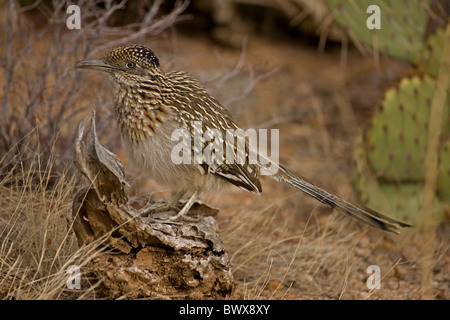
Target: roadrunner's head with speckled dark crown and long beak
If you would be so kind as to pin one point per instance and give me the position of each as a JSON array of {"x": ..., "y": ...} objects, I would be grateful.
[{"x": 124, "y": 65}]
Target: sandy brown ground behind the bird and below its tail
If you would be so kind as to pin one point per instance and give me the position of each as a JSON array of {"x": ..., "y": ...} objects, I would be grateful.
[{"x": 283, "y": 244}]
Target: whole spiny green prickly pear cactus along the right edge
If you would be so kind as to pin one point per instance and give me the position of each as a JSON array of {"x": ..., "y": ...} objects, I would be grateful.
[{"x": 390, "y": 157}]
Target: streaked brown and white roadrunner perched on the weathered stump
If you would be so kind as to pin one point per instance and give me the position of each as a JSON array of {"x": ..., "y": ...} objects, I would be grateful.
[{"x": 151, "y": 104}]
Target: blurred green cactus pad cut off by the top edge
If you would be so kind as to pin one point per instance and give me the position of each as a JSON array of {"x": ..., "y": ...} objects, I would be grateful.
[{"x": 403, "y": 24}]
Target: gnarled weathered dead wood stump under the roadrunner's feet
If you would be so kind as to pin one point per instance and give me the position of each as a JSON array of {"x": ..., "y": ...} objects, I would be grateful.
[{"x": 150, "y": 257}]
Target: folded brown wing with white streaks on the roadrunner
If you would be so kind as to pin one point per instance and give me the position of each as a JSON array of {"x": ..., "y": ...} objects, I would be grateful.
[{"x": 215, "y": 136}]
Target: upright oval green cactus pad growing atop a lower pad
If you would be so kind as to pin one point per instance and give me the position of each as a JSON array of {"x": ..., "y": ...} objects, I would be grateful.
[{"x": 397, "y": 141}]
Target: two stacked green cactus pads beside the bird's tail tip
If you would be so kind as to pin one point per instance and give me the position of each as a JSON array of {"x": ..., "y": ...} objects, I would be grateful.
[{"x": 390, "y": 161}]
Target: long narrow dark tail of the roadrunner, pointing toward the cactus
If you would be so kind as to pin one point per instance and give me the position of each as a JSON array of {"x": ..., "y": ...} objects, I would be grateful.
[{"x": 359, "y": 212}]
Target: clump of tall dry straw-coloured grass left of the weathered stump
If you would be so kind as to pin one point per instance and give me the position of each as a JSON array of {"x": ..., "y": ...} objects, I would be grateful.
[{"x": 37, "y": 245}]
